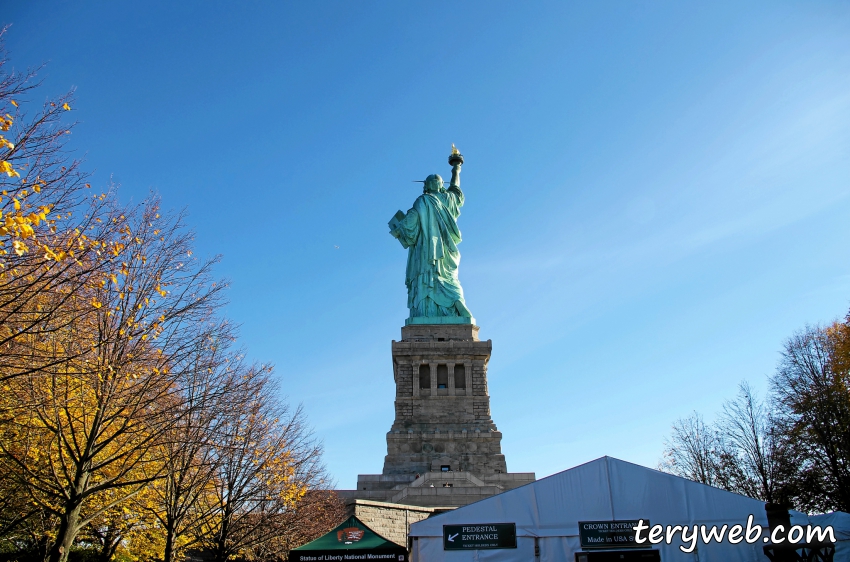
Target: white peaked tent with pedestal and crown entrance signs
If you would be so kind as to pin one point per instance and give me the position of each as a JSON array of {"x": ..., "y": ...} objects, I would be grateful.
[{"x": 602, "y": 490}]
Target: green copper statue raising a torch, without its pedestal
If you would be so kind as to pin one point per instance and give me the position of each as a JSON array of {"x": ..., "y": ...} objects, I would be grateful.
[{"x": 429, "y": 232}]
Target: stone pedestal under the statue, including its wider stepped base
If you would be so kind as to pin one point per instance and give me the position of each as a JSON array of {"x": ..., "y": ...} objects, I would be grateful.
[{"x": 443, "y": 448}]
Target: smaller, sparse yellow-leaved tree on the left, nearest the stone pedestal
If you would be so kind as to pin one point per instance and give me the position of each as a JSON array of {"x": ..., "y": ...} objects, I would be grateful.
[{"x": 267, "y": 460}]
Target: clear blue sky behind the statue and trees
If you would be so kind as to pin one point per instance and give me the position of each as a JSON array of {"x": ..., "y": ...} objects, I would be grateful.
[{"x": 656, "y": 192}]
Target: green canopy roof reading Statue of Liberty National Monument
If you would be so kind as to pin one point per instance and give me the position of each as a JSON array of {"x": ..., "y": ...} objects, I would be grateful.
[{"x": 351, "y": 540}]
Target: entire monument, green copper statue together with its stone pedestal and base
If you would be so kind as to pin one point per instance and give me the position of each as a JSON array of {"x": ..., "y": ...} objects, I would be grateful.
[{"x": 443, "y": 448}]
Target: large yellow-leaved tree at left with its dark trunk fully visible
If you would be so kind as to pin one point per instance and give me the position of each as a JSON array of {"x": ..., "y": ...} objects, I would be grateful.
[{"x": 94, "y": 425}]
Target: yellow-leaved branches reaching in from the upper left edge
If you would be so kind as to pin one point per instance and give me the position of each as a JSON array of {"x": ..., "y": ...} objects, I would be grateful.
[{"x": 55, "y": 234}]
